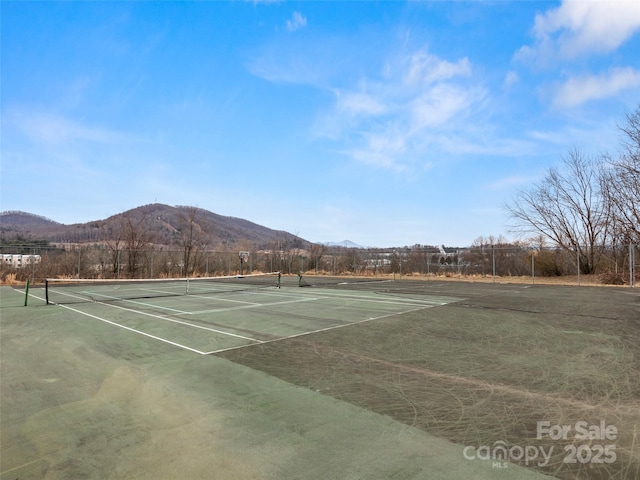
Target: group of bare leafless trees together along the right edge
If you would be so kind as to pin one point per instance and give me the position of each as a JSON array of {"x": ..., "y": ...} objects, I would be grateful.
[{"x": 587, "y": 206}]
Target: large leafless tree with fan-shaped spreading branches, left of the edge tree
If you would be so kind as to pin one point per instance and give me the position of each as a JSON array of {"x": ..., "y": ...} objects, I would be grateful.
[{"x": 569, "y": 208}]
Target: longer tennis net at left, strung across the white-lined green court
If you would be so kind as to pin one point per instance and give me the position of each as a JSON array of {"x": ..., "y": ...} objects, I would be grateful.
[{"x": 65, "y": 291}]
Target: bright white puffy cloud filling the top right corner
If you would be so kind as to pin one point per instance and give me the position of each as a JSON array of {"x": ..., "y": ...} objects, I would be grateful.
[{"x": 580, "y": 27}]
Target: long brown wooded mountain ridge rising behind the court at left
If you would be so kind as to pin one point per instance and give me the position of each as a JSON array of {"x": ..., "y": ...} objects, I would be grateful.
[{"x": 163, "y": 223}]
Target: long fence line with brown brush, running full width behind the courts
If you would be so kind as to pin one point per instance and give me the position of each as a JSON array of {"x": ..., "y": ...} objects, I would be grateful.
[{"x": 612, "y": 264}]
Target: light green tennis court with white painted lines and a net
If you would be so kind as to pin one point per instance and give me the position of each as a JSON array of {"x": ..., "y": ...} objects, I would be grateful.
[{"x": 212, "y": 317}]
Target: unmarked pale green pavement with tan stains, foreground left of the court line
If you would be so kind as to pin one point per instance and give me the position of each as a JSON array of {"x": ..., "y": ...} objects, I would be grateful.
[{"x": 82, "y": 399}]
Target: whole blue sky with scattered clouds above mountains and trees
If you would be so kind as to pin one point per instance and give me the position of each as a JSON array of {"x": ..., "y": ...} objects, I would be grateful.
[{"x": 385, "y": 123}]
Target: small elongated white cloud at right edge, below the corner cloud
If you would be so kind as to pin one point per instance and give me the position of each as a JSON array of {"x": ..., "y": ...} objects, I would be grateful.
[{"x": 581, "y": 89}]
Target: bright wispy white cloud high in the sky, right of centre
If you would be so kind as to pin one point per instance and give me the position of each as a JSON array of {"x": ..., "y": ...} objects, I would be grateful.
[{"x": 393, "y": 118}]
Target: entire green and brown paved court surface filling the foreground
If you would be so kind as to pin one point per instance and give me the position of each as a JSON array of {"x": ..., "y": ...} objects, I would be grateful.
[{"x": 394, "y": 379}]
